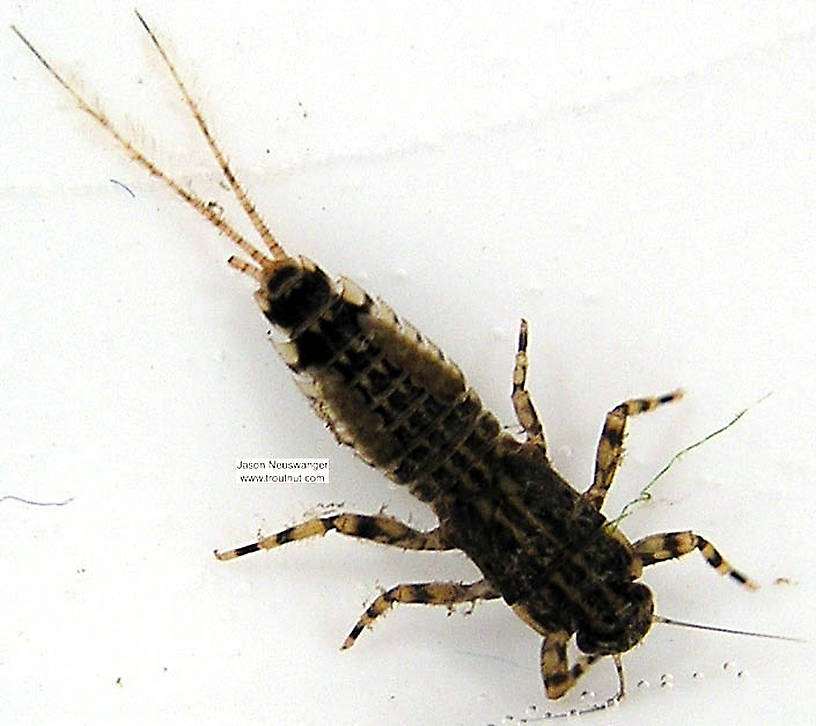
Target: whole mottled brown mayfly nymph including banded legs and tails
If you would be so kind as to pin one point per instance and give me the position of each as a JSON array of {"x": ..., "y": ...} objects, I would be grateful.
[{"x": 393, "y": 396}]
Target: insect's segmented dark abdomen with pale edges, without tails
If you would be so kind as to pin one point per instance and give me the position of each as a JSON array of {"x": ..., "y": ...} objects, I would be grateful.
[{"x": 381, "y": 387}]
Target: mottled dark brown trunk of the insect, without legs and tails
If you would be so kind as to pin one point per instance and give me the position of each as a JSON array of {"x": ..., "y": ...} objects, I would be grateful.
[{"x": 406, "y": 410}]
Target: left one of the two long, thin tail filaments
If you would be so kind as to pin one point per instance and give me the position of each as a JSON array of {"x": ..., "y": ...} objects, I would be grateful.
[{"x": 139, "y": 157}]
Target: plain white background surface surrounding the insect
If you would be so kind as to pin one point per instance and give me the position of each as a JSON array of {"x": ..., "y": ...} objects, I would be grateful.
[{"x": 635, "y": 180}]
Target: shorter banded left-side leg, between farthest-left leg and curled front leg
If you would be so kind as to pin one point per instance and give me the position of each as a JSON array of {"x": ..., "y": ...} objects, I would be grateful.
[{"x": 426, "y": 593}]
